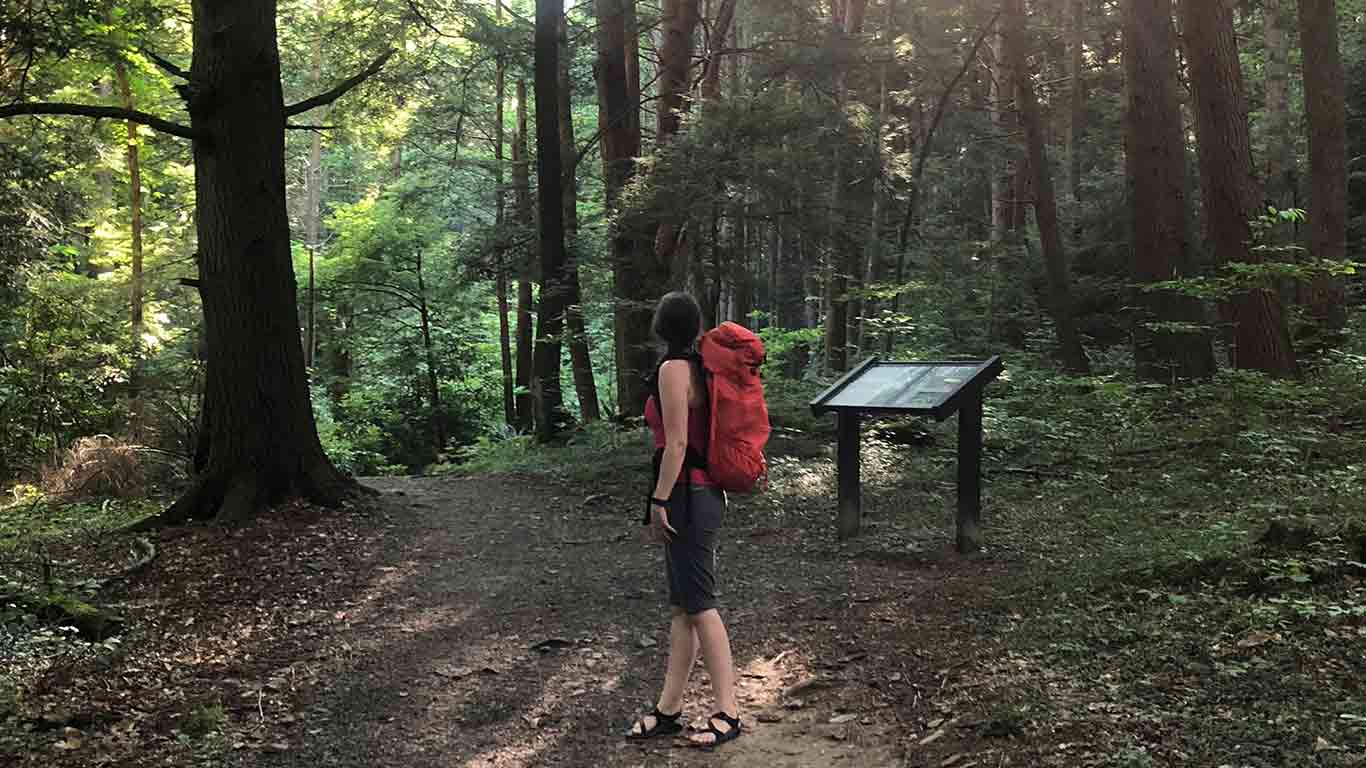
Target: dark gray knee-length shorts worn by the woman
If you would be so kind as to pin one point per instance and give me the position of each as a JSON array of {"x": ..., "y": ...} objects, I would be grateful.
[{"x": 696, "y": 513}]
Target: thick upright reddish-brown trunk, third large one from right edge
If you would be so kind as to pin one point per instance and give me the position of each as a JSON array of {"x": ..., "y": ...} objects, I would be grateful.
[{"x": 1156, "y": 159}]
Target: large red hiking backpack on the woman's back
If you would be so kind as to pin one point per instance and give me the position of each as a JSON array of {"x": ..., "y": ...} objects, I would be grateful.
[{"x": 731, "y": 356}]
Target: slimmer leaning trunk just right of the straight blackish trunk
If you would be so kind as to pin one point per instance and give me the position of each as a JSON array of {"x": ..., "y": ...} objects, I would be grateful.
[{"x": 581, "y": 359}]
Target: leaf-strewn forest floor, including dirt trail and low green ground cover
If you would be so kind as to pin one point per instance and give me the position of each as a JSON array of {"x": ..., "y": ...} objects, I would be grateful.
[{"x": 1130, "y": 612}]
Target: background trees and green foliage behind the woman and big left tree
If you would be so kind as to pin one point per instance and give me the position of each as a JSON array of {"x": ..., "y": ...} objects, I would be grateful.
[{"x": 908, "y": 178}]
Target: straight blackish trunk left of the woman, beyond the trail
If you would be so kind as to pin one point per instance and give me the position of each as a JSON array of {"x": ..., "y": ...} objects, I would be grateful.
[{"x": 550, "y": 176}]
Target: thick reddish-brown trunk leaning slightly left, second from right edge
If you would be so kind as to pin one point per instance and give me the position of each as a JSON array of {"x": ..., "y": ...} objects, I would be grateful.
[{"x": 1229, "y": 188}]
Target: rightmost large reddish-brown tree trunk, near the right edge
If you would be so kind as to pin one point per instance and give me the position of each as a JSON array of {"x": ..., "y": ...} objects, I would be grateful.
[{"x": 1326, "y": 109}]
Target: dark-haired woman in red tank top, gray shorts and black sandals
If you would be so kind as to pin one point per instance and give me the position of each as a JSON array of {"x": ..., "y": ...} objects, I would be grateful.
[{"x": 686, "y": 512}]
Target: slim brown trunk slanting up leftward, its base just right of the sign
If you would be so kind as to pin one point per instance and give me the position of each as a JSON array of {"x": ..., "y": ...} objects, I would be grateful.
[{"x": 1046, "y": 203}]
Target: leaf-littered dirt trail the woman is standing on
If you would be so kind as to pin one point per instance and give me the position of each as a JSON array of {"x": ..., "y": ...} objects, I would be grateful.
[{"x": 502, "y": 624}]
